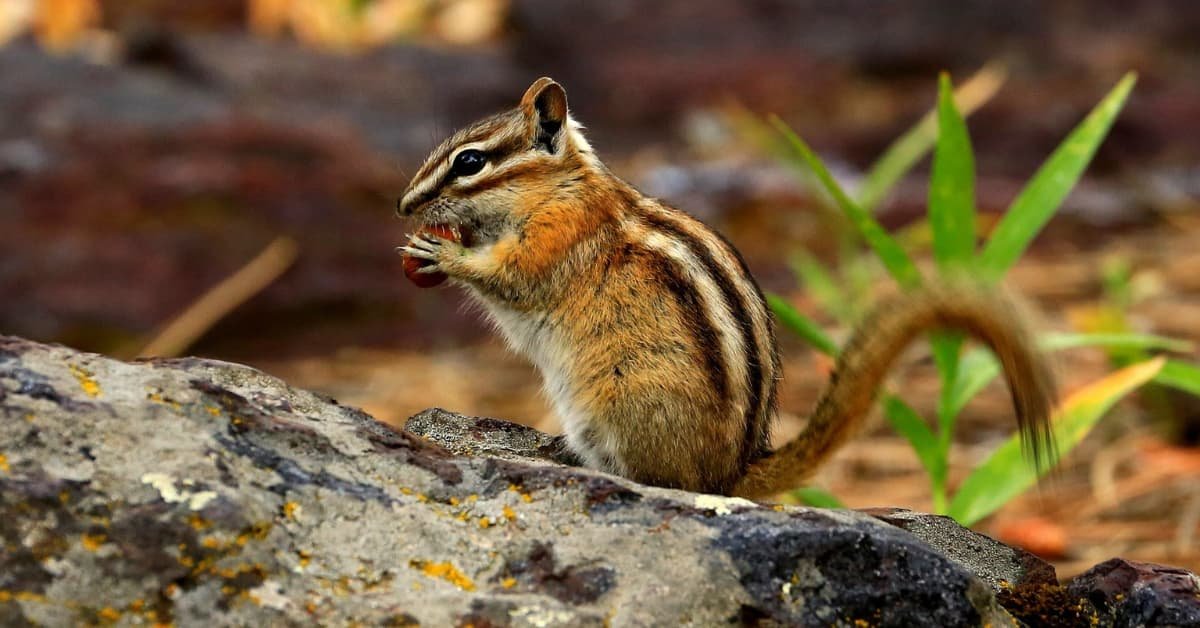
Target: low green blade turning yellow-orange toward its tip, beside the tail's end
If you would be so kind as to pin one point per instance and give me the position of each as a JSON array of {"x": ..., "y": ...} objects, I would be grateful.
[{"x": 1007, "y": 473}]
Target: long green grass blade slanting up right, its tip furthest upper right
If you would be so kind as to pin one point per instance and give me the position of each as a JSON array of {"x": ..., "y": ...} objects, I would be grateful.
[{"x": 1043, "y": 195}]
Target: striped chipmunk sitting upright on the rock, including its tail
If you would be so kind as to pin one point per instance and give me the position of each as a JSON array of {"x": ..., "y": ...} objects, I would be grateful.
[{"x": 655, "y": 342}]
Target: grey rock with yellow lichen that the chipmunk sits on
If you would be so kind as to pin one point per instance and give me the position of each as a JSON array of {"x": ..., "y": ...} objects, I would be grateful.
[{"x": 206, "y": 493}]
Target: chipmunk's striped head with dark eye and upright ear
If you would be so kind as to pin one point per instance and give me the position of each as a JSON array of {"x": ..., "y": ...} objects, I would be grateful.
[{"x": 476, "y": 178}]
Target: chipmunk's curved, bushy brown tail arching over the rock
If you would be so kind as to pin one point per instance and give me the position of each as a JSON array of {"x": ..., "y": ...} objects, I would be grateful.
[{"x": 873, "y": 350}]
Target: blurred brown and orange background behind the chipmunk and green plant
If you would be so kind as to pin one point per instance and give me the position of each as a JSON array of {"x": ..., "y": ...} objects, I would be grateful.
[{"x": 220, "y": 178}]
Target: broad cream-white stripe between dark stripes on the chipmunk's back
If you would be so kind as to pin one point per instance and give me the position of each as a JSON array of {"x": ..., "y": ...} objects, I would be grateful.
[{"x": 716, "y": 312}]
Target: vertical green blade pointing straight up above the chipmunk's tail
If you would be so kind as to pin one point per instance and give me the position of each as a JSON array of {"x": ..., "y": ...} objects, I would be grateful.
[{"x": 952, "y": 214}]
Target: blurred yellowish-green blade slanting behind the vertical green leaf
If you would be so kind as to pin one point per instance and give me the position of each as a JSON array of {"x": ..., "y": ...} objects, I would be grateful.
[{"x": 909, "y": 149}]
